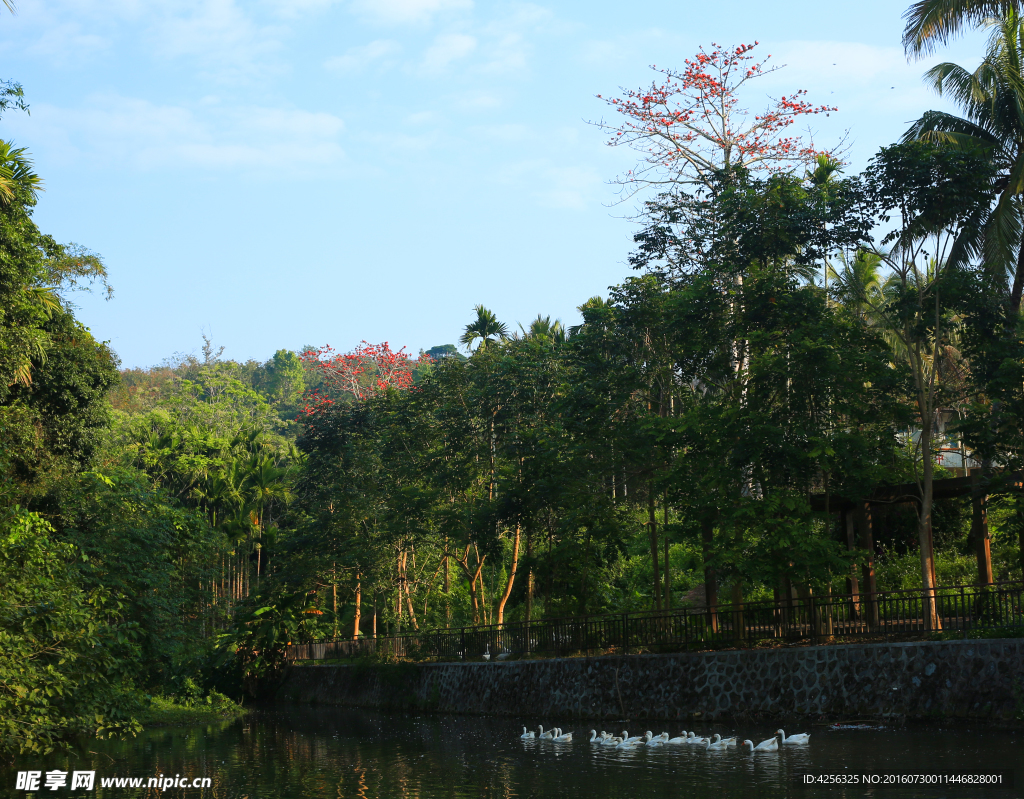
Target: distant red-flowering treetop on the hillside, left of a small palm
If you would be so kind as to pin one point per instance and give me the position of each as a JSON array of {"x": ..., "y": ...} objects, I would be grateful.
[{"x": 366, "y": 371}]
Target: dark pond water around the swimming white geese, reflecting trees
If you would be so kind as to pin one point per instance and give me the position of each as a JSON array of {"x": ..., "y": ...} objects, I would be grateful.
[{"x": 331, "y": 752}]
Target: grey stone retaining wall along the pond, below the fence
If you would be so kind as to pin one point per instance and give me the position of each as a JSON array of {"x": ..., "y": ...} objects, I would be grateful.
[{"x": 970, "y": 680}]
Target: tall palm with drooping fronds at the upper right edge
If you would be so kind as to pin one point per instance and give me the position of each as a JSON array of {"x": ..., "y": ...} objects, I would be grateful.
[{"x": 993, "y": 101}]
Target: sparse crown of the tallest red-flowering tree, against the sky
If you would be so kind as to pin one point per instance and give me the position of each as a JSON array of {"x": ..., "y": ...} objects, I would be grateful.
[{"x": 691, "y": 125}]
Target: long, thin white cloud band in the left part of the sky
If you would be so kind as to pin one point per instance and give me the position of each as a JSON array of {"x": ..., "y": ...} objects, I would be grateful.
[{"x": 116, "y": 131}]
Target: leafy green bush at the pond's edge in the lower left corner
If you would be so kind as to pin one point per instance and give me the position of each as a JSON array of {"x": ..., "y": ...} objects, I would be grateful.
[{"x": 66, "y": 658}]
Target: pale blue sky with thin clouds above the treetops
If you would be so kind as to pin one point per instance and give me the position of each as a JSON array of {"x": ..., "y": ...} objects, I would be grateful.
[{"x": 290, "y": 173}]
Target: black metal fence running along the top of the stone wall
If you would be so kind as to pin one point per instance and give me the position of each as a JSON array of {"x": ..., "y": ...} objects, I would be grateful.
[{"x": 808, "y": 619}]
